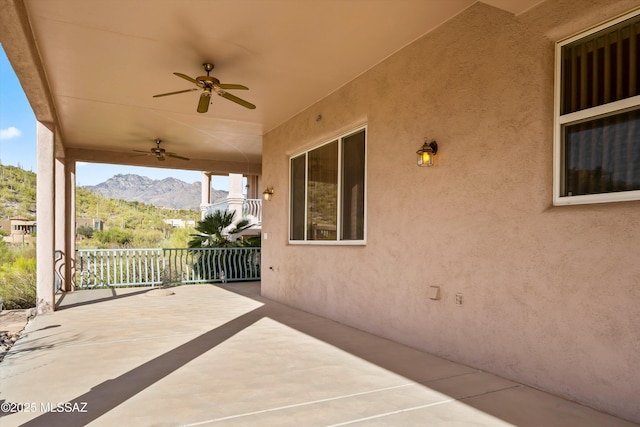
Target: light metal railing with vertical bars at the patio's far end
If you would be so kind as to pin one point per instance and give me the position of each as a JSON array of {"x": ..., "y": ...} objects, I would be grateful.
[{"x": 156, "y": 266}]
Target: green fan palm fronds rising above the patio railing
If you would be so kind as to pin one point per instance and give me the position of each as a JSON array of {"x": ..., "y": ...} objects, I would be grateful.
[{"x": 212, "y": 231}]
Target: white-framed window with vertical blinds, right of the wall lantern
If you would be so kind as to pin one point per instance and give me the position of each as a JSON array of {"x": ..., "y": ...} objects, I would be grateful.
[{"x": 597, "y": 133}]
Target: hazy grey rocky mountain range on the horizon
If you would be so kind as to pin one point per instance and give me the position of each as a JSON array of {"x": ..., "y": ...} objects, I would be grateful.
[{"x": 168, "y": 192}]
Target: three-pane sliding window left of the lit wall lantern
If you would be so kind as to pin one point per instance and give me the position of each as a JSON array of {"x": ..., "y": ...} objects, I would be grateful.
[{"x": 328, "y": 192}]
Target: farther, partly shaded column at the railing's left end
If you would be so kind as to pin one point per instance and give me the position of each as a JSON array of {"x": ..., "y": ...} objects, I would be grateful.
[{"x": 70, "y": 218}]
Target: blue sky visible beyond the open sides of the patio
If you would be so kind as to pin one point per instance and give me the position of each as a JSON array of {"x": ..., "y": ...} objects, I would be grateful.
[{"x": 18, "y": 139}]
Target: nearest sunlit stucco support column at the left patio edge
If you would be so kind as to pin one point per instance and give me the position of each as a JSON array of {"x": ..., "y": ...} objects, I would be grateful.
[{"x": 45, "y": 238}]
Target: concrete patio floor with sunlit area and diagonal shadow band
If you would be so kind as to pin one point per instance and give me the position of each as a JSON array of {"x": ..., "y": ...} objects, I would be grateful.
[{"x": 223, "y": 355}]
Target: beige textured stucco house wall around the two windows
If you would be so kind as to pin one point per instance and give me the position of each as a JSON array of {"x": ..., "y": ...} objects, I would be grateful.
[{"x": 550, "y": 294}]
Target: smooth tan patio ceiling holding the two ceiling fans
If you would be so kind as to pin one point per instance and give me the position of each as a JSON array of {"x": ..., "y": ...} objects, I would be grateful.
[{"x": 99, "y": 63}]
